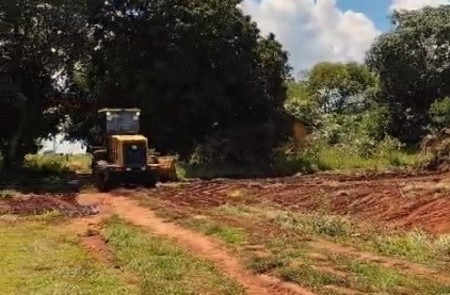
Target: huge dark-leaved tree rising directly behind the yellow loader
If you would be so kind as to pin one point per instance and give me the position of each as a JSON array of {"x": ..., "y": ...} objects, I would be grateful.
[{"x": 198, "y": 69}]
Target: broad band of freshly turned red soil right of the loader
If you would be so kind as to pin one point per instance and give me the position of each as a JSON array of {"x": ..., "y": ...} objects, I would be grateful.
[{"x": 397, "y": 201}]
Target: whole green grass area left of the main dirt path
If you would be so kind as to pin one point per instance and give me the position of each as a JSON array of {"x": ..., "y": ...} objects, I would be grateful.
[{"x": 40, "y": 256}]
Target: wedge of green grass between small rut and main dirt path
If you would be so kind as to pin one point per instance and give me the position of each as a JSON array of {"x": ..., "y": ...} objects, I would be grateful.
[{"x": 161, "y": 266}]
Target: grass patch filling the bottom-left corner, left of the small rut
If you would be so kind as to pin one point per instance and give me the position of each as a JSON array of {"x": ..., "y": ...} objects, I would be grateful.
[{"x": 37, "y": 258}]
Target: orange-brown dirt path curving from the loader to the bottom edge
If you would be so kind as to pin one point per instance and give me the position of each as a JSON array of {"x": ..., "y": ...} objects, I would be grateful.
[{"x": 200, "y": 245}]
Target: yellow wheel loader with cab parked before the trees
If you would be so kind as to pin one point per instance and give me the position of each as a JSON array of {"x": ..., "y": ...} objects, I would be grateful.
[{"x": 123, "y": 155}]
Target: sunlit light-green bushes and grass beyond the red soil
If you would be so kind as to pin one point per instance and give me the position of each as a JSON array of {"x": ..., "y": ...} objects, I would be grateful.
[{"x": 345, "y": 142}]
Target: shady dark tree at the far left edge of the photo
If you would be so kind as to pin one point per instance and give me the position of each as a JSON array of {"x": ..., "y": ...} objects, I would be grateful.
[{"x": 36, "y": 43}]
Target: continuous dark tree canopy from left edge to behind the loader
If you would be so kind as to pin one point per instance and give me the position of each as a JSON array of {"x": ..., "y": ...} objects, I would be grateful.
[{"x": 200, "y": 71}]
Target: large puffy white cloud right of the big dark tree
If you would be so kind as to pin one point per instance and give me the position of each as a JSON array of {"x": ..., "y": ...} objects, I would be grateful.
[{"x": 314, "y": 30}]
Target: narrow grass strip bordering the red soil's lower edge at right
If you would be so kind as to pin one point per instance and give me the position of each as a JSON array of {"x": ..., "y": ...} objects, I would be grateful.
[{"x": 414, "y": 246}]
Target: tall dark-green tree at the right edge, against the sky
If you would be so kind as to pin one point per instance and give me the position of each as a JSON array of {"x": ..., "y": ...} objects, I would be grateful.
[{"x": 413, "y": 65}]
